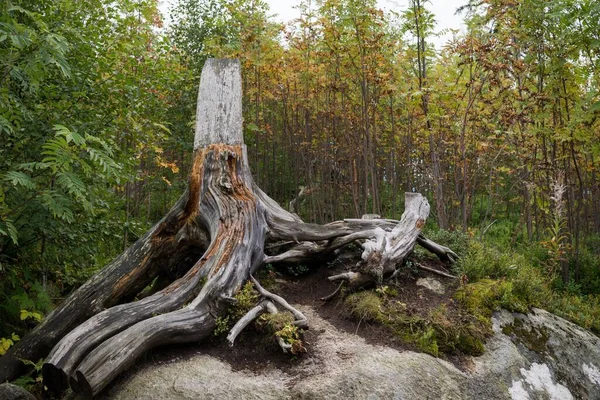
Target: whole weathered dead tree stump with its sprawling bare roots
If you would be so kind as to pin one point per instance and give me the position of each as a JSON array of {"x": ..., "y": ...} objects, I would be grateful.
[{"x": 209, "y": 244}]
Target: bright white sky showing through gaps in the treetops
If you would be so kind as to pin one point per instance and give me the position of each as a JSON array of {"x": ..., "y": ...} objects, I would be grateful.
[{"x": 444, "y": 11}]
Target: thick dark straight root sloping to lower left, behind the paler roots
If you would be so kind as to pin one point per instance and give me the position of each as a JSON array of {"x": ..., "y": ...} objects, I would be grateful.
[{"x": 119, "y": 281}]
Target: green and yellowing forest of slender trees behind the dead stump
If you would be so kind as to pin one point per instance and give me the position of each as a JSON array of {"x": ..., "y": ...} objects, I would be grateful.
[{"x": 345, "y": 109}]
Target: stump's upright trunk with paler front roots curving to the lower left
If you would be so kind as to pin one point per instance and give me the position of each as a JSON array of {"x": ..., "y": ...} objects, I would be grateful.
[{"x": 222, "y": 201}]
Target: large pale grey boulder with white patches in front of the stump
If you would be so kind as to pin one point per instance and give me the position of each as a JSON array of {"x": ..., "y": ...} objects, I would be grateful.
[{"x": 534, "y": 356}]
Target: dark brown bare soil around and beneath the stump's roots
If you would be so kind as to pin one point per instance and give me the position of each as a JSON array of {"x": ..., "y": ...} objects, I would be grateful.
[{"x": 255, "y": 351}]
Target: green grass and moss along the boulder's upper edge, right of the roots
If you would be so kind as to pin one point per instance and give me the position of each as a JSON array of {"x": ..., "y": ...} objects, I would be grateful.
[{"x": 493, "y": 279}]
